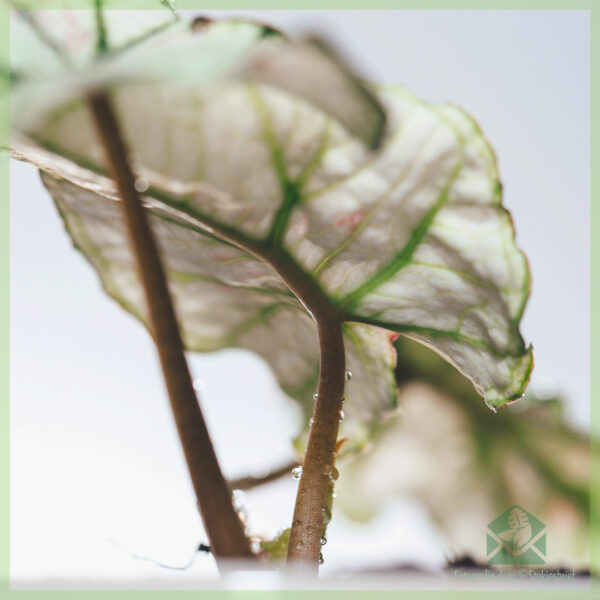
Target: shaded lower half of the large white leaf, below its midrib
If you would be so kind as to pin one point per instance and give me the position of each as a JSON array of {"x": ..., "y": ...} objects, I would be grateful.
[{"x": 225, "y": 297}]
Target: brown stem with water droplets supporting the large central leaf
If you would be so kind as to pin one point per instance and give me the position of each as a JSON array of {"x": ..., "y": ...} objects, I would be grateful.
[{"x": 305, "y": 547}]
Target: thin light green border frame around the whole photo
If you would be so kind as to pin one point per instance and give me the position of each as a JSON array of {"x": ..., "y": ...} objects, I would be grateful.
[{"x": 593, "y": 6}]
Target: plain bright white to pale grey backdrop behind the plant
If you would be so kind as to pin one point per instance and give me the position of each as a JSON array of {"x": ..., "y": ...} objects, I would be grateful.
[{"x": 94, "y": 454}]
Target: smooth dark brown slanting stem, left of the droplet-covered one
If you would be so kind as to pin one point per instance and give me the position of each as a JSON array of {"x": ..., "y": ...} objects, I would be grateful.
[{"x": 223, "y": 527}]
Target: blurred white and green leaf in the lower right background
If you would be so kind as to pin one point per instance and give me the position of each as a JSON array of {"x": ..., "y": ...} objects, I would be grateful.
[{"x": 467, "y": 465}]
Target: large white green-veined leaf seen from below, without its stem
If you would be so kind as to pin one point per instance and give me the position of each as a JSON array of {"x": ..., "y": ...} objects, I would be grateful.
[{"x": 411, "y": 239}]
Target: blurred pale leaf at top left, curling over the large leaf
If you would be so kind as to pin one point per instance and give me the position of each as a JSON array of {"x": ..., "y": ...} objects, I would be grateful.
[{"x": 60, "y": 56}]
